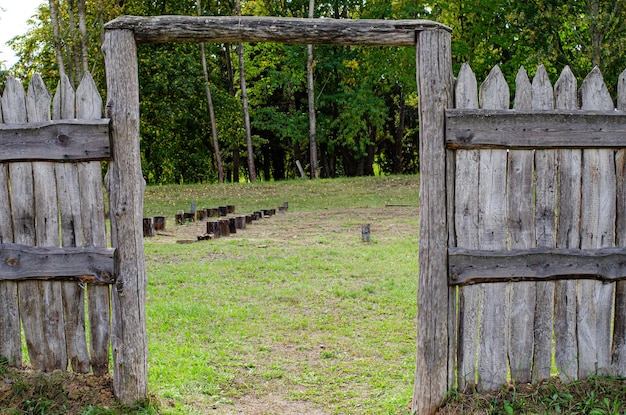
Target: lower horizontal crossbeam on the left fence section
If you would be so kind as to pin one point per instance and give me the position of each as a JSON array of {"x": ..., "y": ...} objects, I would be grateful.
[{"x": 89, "y": 264}]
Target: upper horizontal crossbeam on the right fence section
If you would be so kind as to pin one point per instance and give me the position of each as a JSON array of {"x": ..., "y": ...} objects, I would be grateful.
[{"x": 535, "y": 129}]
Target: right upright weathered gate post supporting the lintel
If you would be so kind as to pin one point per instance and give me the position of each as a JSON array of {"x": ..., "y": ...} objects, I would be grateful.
[{"x": 434, "y": 80}]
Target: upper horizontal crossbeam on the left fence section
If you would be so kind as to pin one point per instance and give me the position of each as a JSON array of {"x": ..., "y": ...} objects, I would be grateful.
[{"x": 56, "y": 141}]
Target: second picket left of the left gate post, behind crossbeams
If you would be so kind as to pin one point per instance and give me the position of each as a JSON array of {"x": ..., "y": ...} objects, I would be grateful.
[{"x": 71, "y": 236}]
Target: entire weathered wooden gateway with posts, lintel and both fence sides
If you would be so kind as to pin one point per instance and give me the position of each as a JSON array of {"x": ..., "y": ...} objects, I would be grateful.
[{"x": 521, "y": 238}]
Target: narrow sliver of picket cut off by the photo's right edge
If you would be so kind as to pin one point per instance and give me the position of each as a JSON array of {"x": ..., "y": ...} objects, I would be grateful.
[{"x": 618, "y": 355}]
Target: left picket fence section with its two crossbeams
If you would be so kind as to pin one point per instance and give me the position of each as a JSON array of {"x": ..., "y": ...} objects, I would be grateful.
[{"x": 53, "y": 244}]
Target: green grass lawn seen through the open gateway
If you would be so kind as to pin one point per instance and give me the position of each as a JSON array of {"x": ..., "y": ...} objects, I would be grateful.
[{"x": 295, "y": 314}]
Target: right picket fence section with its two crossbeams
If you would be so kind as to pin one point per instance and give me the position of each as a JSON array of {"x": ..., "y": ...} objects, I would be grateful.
[{"x": 539, "y": 198}]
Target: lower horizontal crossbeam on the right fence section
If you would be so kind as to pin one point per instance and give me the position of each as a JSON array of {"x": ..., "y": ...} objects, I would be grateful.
[{"x": 467, "y": 266}]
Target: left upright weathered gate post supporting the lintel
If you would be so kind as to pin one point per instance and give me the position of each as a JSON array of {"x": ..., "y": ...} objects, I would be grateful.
[{"x": 126, "y": 189}]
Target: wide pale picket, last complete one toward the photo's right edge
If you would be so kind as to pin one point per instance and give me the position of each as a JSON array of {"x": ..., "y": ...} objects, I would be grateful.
[{"x": 595, "y": 299}]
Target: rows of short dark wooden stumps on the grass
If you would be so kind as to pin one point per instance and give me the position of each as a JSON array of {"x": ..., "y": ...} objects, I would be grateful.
[{"x": 224, "y": 226}]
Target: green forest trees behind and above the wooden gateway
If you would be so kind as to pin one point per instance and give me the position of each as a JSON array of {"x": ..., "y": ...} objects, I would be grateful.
[{"x": 365, "y": 98}]
